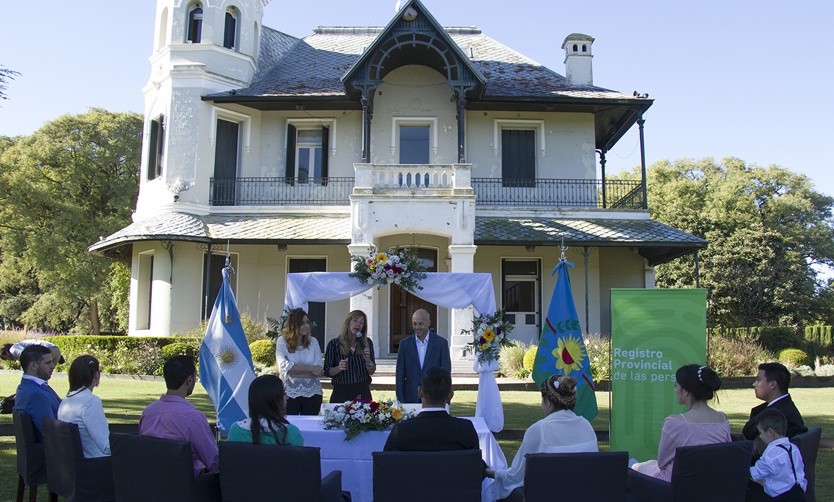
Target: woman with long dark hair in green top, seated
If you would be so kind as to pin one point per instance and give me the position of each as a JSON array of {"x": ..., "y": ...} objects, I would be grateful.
[{"x": 267, "y": 410}]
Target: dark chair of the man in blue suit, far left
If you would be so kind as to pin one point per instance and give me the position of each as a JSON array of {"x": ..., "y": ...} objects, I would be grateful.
[{"x": 31, "y": 463}]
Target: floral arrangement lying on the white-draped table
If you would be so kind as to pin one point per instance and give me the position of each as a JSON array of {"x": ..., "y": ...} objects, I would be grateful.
[{"x": 361, "y": 416}]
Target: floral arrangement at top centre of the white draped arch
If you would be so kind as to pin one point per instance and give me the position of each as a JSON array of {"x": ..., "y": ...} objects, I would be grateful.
[{"x": 399, "y": 266}]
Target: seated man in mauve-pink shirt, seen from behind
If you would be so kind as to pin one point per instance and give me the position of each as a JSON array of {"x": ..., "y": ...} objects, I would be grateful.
[{"x": 172, "y": 417}]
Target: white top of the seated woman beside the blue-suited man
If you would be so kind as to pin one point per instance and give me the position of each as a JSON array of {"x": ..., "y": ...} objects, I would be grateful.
[{"x": 84, "y": 408}]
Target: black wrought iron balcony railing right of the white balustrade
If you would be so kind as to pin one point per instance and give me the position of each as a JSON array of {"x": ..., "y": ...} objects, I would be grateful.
[{"x": 624, "y": 194}]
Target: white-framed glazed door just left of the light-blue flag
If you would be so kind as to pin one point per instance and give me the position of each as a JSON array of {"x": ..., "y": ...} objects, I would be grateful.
[{"x": 521, "y": 300}]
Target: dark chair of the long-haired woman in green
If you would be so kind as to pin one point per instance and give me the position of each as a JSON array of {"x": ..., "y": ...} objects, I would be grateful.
[{"x": 268, "y": 472}]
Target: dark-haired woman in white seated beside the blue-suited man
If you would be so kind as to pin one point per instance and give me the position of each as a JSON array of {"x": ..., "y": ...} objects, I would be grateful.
[{"x": 83, "y": 408}]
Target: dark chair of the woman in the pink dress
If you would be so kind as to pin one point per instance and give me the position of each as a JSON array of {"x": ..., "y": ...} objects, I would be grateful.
[{"x": 714, "y": 472}]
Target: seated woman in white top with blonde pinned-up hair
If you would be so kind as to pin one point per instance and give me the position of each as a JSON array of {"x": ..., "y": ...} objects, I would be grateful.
[{"x": 560, "y": 431}]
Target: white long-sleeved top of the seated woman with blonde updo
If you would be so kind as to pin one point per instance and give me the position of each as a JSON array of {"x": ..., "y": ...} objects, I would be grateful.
[{"x": 560, "y": 432}]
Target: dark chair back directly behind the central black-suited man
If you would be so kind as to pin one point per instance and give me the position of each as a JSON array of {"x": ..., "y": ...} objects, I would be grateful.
[{"x": 443, "y": 475}]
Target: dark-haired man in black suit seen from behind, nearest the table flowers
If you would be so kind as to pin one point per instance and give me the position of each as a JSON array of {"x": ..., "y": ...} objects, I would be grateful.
[{"x": 433, "y": 429}]
